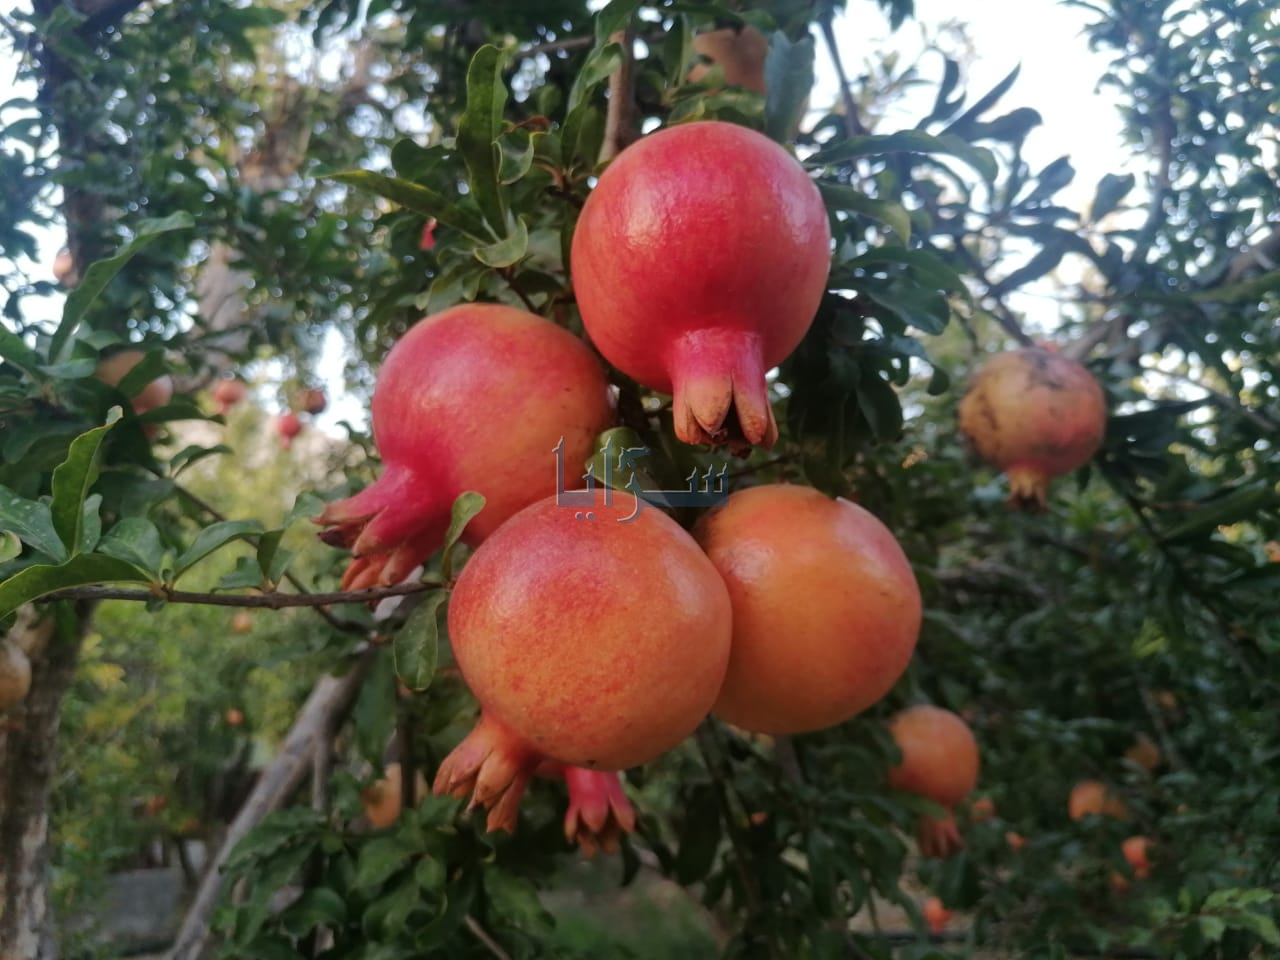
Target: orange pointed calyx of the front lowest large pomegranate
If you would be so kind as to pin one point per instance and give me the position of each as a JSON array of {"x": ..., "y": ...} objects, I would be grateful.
[{"x": 495, "y": 767}]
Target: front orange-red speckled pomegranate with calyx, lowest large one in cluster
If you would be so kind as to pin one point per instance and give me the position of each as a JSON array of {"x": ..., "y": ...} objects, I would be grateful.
[{"x": 589, "y": 639}]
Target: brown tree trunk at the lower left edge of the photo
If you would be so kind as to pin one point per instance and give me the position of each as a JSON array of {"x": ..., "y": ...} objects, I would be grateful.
[{"x": 29, "y": 737}]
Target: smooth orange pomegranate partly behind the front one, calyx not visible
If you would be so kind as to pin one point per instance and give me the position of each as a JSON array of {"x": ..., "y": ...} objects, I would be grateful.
[{"x": 826, "y": 609}]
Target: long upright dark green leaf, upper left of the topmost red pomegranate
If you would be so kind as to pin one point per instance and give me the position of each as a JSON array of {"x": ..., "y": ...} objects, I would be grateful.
[{"x": 479, "y": 131}]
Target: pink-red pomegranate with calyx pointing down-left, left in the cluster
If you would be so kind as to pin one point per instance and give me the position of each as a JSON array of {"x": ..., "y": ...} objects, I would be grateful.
[{"x": 474, "y": 399}]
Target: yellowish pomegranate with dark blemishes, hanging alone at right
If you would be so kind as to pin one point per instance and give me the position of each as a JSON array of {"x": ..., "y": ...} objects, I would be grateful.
[{"x": 1036, "y": 415}]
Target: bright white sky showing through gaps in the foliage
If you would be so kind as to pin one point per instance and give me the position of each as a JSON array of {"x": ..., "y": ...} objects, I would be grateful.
[{"x": 1058, "y": 79}]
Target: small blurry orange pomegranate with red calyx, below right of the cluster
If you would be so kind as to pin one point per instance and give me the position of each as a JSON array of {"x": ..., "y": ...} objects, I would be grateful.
[{"x": 940, "y": 764}]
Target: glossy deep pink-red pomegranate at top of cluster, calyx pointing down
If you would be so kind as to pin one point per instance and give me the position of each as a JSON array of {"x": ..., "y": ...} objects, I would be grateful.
[{"x": 700, "y": 262}]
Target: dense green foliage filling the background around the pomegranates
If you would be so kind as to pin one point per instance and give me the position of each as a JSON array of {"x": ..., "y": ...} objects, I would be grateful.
[{"x": 237, "y": 181}]
